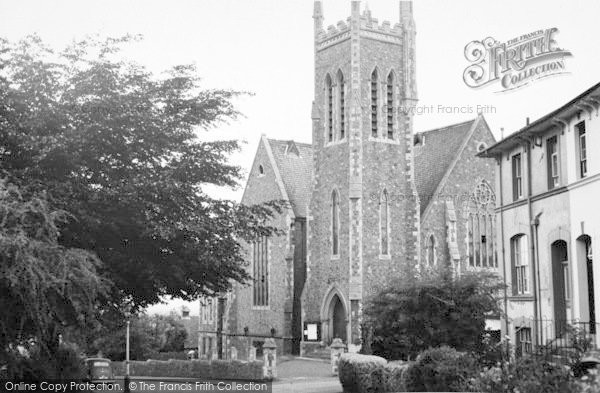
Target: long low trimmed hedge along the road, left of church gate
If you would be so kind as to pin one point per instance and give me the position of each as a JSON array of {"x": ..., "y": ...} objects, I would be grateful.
[{"x": 215, "y": 369}]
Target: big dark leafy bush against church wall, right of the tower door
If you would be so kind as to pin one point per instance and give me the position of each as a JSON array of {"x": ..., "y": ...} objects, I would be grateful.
[{"x": 411, "y": 316}]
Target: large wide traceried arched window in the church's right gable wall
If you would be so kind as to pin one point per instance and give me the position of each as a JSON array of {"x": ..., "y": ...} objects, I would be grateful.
[{"x": 481, "y": 236}]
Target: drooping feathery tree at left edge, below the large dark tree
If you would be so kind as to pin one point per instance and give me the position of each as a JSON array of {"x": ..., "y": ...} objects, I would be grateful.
[{"x": 45, "y": 286}]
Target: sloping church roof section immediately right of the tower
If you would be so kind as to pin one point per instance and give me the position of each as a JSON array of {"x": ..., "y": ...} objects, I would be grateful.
[{"x": 434, "y": 155}]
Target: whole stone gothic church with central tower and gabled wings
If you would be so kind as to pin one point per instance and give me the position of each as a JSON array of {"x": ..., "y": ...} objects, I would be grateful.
[{"x": 370, "y": 200}]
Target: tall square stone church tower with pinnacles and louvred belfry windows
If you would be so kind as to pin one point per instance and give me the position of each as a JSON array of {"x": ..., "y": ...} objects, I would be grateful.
[{"x": 364, "y": 209}]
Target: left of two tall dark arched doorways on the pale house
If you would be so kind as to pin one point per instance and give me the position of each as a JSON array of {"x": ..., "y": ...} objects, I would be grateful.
[{"x": 562, "y": 285}]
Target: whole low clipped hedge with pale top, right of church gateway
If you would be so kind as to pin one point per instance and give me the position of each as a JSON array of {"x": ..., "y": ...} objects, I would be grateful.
[{"x": 365, "y": 373}]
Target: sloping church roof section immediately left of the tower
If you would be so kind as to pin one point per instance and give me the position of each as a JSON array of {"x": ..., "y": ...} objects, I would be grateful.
[{"x": 294, "y": 161}]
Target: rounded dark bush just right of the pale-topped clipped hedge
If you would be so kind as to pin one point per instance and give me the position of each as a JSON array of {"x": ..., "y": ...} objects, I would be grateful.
[{"x": 440, "y": 370}]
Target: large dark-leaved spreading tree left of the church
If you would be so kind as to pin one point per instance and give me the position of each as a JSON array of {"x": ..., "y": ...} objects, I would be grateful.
[{"x": 117, "y": 148}]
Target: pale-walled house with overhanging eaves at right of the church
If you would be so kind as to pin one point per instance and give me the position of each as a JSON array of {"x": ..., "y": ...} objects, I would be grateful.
[{"x": 548, "y": 178}]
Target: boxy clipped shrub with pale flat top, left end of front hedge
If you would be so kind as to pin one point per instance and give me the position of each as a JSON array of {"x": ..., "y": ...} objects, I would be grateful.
[{"x": 361, "y": 373}]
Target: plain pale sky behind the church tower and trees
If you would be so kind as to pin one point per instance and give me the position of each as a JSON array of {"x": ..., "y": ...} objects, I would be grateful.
[{"x": 266, "y": 47}]
